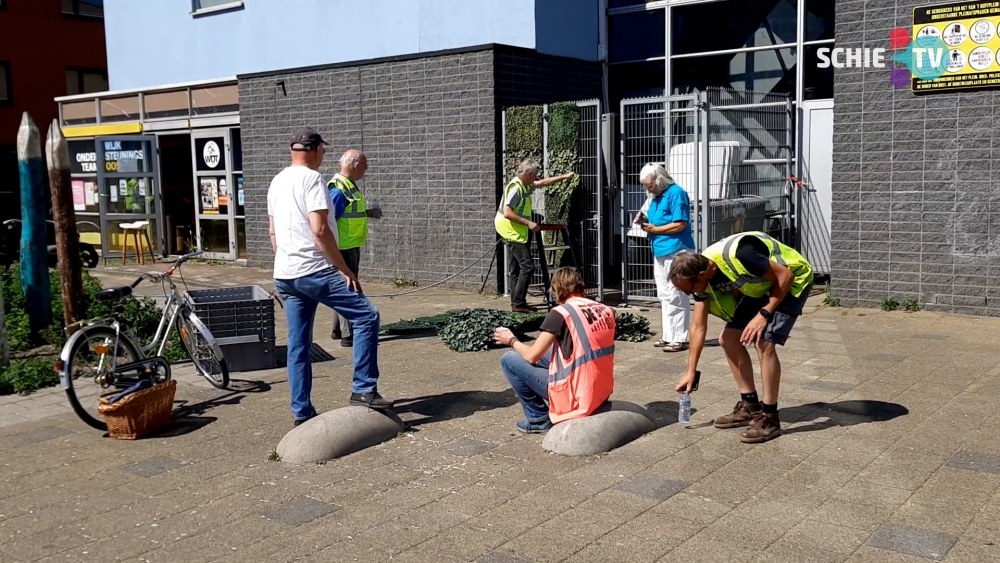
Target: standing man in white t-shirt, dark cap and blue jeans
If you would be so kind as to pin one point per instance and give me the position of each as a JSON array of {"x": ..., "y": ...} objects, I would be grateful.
[{"x": 309, "y": 270}]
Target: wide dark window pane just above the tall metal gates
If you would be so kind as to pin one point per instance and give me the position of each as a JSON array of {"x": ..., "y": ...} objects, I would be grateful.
[{"x": 758, "y": 71}]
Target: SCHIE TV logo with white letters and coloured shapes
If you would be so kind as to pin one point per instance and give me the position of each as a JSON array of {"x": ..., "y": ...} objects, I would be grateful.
[{"x": 926, "y": 58}]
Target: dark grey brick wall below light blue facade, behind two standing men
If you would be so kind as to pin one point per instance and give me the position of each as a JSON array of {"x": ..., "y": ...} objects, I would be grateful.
[{"x": 431, "y": 130}]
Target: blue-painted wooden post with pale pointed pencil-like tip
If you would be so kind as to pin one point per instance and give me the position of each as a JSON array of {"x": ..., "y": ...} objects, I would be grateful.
[{"x": 34, "y": 247}]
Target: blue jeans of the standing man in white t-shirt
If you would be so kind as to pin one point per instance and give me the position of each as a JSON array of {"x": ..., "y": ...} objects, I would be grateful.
[{"x": 302, "y": 296}]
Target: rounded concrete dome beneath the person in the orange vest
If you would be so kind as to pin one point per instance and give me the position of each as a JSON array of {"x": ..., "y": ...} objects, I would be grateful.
[{"x": 613, "y": 425}]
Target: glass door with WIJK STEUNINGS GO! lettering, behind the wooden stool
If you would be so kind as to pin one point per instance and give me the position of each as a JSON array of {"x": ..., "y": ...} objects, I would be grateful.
[{"x": 127, "y": 191}]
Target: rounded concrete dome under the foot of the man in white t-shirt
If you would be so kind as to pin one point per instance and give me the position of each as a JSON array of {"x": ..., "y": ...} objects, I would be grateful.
[{"x": 338, "y": 433}]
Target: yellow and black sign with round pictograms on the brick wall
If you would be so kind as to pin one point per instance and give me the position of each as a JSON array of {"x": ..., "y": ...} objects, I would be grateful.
[{"x": 971, "y": 33}]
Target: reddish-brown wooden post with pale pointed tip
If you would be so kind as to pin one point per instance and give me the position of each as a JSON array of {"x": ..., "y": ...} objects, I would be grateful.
[{"x": 67, "y": 237}]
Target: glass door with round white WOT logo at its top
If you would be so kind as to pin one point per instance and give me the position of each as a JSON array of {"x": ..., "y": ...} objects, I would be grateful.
[{"x": 215, "y": 193}]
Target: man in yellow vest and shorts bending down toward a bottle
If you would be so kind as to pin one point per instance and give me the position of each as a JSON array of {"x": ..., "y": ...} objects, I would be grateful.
[{"x": 758, "y": 286}]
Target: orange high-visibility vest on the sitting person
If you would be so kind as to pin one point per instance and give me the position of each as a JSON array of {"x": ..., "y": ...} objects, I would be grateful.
[{"x": 581, "y": 383}]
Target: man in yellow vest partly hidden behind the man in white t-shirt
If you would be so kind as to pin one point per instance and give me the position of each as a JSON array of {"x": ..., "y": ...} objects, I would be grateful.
[{"x": 352, "y": 215}]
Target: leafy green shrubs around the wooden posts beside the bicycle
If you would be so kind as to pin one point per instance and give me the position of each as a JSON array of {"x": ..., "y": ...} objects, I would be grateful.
[{"x": 142, "y": 314}]
